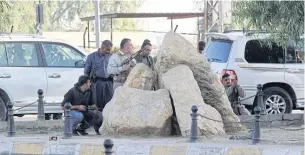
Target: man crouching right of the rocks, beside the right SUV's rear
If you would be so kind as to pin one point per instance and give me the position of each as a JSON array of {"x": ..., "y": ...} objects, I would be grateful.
[{"x": 234, "y": 92}]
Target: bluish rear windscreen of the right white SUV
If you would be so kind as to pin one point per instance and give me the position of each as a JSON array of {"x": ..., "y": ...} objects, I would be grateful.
[{"x": 218, "y": 51}]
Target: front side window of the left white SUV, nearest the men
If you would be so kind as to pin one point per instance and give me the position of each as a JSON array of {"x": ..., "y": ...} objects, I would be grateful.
[{"x": 60, "y": 55}]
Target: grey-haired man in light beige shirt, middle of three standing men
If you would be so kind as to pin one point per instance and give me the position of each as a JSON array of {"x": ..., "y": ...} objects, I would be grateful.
[{"x": 120, "y": 63}]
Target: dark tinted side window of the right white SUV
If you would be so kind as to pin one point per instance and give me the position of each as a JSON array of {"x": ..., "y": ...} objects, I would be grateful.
[{"x": 263, "y": 51}]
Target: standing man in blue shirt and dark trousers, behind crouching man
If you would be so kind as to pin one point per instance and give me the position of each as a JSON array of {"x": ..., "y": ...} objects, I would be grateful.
[{"x": 96, "y": 69}]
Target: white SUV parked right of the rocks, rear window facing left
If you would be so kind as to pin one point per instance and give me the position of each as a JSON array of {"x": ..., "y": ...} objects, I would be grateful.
[{"x": 252, "y": 59}]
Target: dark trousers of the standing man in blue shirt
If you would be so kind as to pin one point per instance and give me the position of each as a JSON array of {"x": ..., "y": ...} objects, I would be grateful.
[{"x": 102, "y": 93}]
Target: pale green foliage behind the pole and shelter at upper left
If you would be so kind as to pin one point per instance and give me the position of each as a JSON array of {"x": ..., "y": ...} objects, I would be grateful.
[{"x": 62, "y": 15}]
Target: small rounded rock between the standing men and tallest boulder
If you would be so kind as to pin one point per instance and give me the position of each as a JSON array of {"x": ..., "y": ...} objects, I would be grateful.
[{"x": 141, "y": 77}]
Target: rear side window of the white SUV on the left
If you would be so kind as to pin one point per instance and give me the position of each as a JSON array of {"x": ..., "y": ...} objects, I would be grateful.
[{"x": 20, "y": 54}]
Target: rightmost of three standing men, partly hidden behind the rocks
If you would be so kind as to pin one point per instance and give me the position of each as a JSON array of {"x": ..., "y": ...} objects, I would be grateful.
[{"x": 144, "y": 55}]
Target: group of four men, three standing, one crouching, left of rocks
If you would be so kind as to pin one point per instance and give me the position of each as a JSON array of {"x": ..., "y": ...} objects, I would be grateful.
[{"x": 103, "y": 73}]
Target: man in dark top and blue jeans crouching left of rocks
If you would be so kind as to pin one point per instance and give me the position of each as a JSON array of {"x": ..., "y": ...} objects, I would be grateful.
[{"x": 82, "y": 115}]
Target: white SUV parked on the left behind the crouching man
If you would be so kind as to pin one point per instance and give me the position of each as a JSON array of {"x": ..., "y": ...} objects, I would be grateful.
[{"x": 29, "y": 63}]
